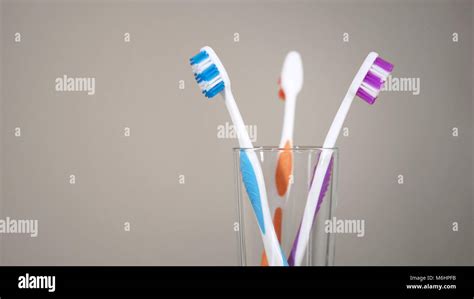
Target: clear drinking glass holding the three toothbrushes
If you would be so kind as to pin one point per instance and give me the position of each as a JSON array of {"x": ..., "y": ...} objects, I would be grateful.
[{"x": 289, "y": 206}]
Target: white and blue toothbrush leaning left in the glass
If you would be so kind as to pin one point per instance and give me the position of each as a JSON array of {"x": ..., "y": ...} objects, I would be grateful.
[{"x": 212, "y": 78}]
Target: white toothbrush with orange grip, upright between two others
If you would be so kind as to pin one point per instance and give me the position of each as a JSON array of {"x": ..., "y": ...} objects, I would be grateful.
[{"x": 290, "y": 84}]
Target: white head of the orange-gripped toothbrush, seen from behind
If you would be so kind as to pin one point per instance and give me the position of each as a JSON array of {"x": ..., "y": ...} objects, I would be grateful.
[{"x": 291, "y": 79}]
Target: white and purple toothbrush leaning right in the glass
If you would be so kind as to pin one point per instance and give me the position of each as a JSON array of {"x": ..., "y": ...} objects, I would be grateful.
[{"x": 367, "y": 84}]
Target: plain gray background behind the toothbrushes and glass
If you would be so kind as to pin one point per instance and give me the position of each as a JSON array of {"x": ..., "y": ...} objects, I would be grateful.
[{"x": 174, "y": 131}]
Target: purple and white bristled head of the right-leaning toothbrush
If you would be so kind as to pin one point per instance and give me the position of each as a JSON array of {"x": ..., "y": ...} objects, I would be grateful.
[{"x": 374, "y": 79}]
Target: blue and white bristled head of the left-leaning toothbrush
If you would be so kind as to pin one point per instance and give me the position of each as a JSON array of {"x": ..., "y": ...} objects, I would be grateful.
[{"x": 209, "y": 72}]
